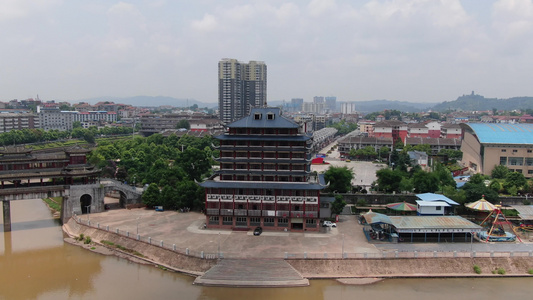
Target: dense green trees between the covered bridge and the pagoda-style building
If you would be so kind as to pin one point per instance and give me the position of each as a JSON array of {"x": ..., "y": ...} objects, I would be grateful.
[{"x": 168, "y": 166}]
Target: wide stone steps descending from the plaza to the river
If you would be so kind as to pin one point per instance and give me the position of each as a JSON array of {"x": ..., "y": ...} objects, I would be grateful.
[{"x": 252, "y": 273}]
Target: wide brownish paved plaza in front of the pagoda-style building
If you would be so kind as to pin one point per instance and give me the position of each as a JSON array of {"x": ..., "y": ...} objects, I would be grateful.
[{"x": 186, "y": 230}]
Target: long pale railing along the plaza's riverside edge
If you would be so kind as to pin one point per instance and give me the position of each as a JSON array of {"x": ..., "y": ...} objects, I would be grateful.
[{"x": 308, "y": 255}]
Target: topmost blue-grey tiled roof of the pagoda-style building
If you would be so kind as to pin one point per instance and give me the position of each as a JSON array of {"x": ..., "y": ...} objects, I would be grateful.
[{"x": 278, "y": 121}]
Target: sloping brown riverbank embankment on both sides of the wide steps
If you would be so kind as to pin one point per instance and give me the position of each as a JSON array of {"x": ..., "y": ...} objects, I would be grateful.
[{"x": 321, "y": 268}]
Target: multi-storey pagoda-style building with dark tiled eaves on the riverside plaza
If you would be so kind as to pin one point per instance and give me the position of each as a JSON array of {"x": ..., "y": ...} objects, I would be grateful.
[{"x": 265, "y": 176}]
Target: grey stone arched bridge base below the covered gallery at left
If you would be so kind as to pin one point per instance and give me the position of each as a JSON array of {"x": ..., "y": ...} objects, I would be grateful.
[{"x": 77, "y": 199}]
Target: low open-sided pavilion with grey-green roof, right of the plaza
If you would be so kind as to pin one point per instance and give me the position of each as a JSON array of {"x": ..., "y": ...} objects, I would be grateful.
[{"x": 427, "y": 228}]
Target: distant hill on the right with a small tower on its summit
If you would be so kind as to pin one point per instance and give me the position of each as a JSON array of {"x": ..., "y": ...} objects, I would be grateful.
[{"x": 474, "y": 102}]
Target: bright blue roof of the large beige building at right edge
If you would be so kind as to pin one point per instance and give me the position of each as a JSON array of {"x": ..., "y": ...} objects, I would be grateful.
[{"x": 492, "y": 133}]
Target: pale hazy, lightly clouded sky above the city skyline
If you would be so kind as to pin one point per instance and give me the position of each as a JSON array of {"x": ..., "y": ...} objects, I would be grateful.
[{"x": 407, "y": 50}]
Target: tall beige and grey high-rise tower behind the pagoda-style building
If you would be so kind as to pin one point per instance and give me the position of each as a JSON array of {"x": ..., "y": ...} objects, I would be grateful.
[{"x": 241, "y": 86}]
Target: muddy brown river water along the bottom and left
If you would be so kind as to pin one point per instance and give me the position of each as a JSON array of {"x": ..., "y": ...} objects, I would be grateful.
[{"x": 35, "y": 263}]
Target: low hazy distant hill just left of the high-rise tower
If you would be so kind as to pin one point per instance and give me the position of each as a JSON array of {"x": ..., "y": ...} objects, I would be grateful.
[{"x": 150, "y": 101}]
